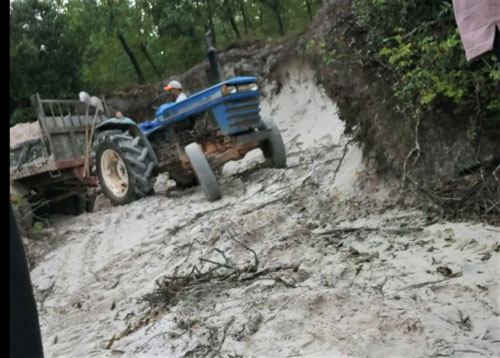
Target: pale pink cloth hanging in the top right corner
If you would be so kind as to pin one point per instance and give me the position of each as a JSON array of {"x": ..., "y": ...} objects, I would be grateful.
[{"x": 477, "y": 21}]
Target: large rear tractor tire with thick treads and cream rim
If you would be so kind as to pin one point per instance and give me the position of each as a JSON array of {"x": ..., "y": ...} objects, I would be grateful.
[{"x": 124, "y": 167}]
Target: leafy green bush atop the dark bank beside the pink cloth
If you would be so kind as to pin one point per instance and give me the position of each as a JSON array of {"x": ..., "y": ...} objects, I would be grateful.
[{"x": 420, "y": 44}]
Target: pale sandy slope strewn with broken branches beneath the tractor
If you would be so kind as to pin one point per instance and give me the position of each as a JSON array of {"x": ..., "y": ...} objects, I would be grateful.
[{"x": 312, "y": 260}]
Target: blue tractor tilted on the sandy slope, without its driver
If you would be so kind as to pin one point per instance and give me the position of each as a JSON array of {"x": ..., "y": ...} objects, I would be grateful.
[{"x": 187, "y": 139}]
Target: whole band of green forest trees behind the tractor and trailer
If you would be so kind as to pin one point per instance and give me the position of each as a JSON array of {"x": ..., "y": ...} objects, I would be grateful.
[{"x": 58, "y": 48}]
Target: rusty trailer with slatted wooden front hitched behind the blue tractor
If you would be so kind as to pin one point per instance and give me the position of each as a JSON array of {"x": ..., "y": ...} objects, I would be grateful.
[{"x": 51, "y": 169}]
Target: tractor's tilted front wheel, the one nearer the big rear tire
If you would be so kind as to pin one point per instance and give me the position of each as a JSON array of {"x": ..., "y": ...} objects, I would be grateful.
[{"x": 203, "y": 172}]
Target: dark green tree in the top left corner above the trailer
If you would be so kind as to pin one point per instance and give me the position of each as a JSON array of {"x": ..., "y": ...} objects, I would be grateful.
[{"x": 42, "y": 58}]
